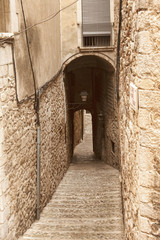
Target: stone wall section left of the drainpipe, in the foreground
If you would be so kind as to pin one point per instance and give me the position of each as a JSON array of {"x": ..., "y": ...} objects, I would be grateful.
[{"x": 17, "y": 155}]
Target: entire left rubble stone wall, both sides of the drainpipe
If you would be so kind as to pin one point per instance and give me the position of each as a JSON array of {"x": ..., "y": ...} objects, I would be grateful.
[{"x": 18, "y": 149}]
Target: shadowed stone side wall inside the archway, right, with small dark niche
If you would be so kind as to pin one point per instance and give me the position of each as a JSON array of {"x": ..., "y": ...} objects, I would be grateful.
[{"x": 111, "y": 148}]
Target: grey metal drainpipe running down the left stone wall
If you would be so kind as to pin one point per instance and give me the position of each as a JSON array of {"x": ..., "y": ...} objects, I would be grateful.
[{"x": 38, "y": 157}]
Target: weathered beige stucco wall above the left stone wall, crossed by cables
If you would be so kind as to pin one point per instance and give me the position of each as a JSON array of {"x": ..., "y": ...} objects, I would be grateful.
[{"x": 43, "y": 42}]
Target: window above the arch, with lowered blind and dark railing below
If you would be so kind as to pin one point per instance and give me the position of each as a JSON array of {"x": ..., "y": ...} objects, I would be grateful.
[{"x": 96, "y": 23}]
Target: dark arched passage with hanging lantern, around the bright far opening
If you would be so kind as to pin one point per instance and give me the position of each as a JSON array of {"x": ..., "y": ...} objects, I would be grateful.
[{"x": 95, "y": 77}]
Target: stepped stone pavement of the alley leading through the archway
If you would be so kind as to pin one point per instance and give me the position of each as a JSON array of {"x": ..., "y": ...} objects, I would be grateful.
[{"x": 86, "y": 205}]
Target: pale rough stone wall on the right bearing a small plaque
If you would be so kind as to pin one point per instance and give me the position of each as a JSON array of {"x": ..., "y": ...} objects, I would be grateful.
[{"x": 140, "y": 131}]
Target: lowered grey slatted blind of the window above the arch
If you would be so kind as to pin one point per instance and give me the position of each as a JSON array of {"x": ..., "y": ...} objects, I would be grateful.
[{"x": 96, "y": 17}]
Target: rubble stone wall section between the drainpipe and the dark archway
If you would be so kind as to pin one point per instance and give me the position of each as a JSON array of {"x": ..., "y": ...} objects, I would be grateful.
[{"x": 54, "y": 137}]
